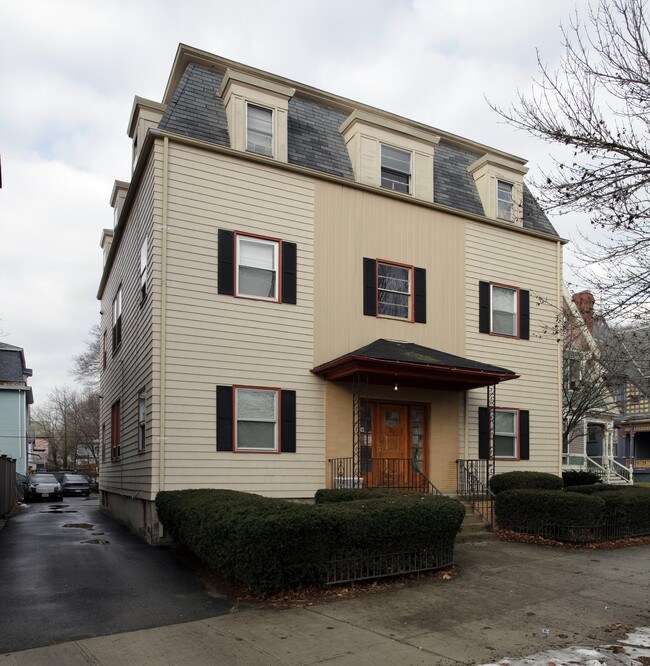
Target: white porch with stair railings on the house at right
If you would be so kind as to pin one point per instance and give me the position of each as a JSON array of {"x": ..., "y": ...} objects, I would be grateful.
[{"x": 593, "y": 449}]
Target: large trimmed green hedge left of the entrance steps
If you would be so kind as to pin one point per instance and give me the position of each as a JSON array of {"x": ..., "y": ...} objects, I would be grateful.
[{"x": 271, "y": 544}]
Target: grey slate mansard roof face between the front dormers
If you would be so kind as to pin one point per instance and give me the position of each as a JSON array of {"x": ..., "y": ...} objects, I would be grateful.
[{"x": 314, "y": 141}]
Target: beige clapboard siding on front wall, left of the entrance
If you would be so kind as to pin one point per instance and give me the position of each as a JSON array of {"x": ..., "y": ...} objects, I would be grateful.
[{"x": 214, "y": 339}]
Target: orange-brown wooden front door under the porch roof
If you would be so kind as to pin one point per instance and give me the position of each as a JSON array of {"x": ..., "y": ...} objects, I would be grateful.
[{"x": 392, "y": 445}]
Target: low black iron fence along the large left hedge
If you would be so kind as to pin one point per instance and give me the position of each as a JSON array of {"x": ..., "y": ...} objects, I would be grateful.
[{"x": 347, "y": 569}]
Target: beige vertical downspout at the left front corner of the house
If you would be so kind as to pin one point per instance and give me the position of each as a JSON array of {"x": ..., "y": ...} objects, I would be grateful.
[{"x": 163, "y": 321}]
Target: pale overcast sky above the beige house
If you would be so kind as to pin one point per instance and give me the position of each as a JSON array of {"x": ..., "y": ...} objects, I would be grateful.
[{"x": 70, "y": 70}]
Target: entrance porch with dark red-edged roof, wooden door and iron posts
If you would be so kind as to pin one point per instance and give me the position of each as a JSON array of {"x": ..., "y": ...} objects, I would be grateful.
[{"x": 395, "y": 418}]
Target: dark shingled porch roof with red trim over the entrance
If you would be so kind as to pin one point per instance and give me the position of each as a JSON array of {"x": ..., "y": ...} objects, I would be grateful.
[{"x": 408, "y": 364}]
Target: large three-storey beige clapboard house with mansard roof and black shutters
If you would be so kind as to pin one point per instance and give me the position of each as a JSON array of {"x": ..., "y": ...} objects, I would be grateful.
[{"x": 304, "y": 291}]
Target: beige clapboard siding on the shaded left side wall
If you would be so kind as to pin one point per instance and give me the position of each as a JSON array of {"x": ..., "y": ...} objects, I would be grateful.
[{"x": 130, "y": 369}]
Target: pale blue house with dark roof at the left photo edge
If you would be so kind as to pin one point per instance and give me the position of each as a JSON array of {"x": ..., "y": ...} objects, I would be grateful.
[{"x": 15, "y": 399}]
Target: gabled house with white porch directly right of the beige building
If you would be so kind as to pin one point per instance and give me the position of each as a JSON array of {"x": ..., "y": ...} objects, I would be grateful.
[{"x": 591, "y": 411}]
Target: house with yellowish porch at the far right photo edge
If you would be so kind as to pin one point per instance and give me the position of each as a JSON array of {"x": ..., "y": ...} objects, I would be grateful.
[{"x": 624, "y": 353}]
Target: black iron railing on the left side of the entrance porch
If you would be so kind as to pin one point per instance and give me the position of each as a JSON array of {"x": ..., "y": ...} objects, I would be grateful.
[{"x": 393, "y": 473}]
